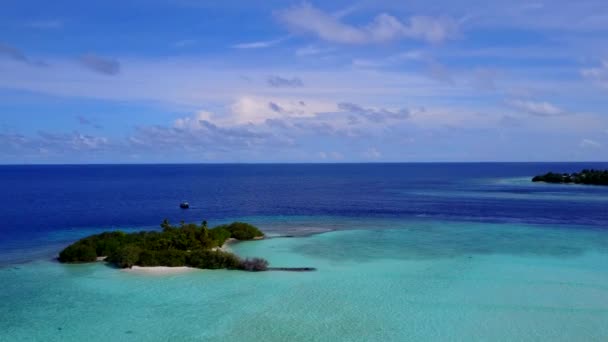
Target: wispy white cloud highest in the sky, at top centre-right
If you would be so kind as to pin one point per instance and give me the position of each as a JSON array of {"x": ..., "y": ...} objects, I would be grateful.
[{"x": 307, "y": 19}]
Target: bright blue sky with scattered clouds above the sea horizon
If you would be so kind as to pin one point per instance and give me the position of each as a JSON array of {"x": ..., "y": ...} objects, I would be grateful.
[{"x": 186, "y": 81}]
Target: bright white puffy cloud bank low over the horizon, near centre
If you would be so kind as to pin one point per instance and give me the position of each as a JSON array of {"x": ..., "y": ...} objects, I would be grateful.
[{"x": 287, "y": 118}]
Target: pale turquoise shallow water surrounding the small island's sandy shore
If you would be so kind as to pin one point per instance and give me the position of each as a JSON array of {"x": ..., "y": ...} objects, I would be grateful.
[{"x": 386, "y": 280}]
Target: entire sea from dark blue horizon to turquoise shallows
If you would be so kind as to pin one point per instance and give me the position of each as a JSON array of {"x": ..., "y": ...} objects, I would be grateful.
[{"x": 402, "y": 251}]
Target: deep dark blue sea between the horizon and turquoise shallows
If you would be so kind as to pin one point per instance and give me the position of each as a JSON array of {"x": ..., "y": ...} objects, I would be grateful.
[{"x": 36, "y": 201}]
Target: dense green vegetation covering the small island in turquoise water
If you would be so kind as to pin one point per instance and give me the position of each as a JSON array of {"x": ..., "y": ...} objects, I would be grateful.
[{"x": 188, "y": 244}]
